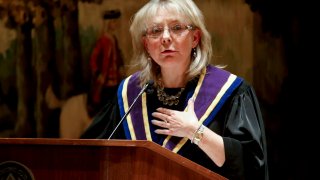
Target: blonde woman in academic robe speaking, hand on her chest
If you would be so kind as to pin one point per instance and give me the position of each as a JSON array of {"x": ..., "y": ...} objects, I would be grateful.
[{"x": 199, "y": 111}]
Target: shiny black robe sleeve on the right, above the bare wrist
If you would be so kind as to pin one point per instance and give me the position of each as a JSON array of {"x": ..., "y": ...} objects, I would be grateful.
[{"x": 244, "y": 137}]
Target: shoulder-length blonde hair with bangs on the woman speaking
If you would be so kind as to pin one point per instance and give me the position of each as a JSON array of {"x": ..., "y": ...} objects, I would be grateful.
[{"x": 189, "y": 10}]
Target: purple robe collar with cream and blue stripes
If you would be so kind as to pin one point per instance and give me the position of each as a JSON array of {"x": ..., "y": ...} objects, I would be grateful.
[{"x": 214, "y": 87}]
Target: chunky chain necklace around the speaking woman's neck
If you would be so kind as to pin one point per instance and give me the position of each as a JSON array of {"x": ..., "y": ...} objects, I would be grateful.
[{"x": 168, "y": 99}]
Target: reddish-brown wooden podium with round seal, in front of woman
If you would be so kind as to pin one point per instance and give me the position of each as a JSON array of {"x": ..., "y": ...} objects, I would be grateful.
[{"x": 94, "y": 159}]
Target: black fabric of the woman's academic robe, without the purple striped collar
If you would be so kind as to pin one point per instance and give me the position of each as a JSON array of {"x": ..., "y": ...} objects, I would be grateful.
[{"x": 239, "y": 122}]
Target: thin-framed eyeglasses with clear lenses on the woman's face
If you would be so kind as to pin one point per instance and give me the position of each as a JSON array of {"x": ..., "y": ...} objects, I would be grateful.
[{"x": 175, "y": 30}]
